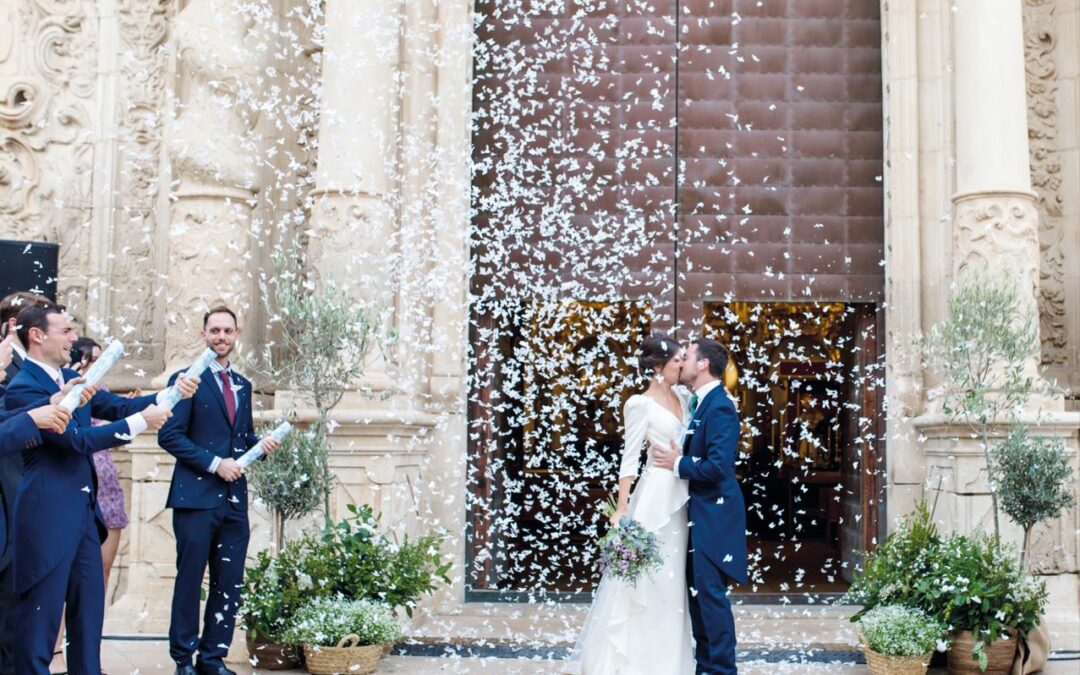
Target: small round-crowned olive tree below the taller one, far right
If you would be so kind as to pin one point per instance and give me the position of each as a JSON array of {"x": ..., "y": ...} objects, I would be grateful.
[{"x": 1034, "y": 478}]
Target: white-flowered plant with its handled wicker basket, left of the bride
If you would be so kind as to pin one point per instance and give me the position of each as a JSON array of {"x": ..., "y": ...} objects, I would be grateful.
[{"x": 342, "y": 636}]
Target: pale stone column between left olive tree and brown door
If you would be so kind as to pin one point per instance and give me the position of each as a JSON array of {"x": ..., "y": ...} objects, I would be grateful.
[{"x": 355, "y": 229}]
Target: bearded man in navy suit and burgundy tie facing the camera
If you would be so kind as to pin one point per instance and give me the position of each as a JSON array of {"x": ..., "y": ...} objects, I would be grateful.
[{"x": 209, "y": 497}]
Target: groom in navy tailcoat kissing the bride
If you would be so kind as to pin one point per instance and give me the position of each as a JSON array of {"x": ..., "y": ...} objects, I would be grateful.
[{"x": 718, "y": 544}]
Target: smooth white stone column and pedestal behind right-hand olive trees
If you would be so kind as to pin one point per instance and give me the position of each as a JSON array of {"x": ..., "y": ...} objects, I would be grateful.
[{"x": 996, "y": 228}]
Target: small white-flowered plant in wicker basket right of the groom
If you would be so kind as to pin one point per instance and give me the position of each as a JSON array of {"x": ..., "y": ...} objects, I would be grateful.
[{"x": 898, "y": 640}]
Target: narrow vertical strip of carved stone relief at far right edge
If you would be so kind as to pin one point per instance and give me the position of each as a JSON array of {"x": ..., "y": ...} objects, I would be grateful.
[{"x": 1041, "y": 39}]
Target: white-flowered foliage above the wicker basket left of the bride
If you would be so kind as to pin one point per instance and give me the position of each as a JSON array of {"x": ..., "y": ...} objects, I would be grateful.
[{"x": 325, "y": 622}]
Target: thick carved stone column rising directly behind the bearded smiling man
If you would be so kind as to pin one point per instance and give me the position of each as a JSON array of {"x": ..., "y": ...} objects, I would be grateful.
[{"x": 220, "y": 60}]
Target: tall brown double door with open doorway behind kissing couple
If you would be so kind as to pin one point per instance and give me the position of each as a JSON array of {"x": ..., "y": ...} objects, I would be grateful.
[{"x": 700, "y": 168}]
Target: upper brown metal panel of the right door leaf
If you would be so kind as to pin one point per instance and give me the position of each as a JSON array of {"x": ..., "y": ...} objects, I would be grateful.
[{"x": 780, "y": 150}]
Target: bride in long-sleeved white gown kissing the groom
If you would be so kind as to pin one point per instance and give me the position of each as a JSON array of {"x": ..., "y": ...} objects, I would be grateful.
[{"x": 645, "y": 628}]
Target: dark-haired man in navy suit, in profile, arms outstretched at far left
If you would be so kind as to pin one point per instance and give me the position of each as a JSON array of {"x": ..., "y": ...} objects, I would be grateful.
[{"x": 58, "y": 528}]
